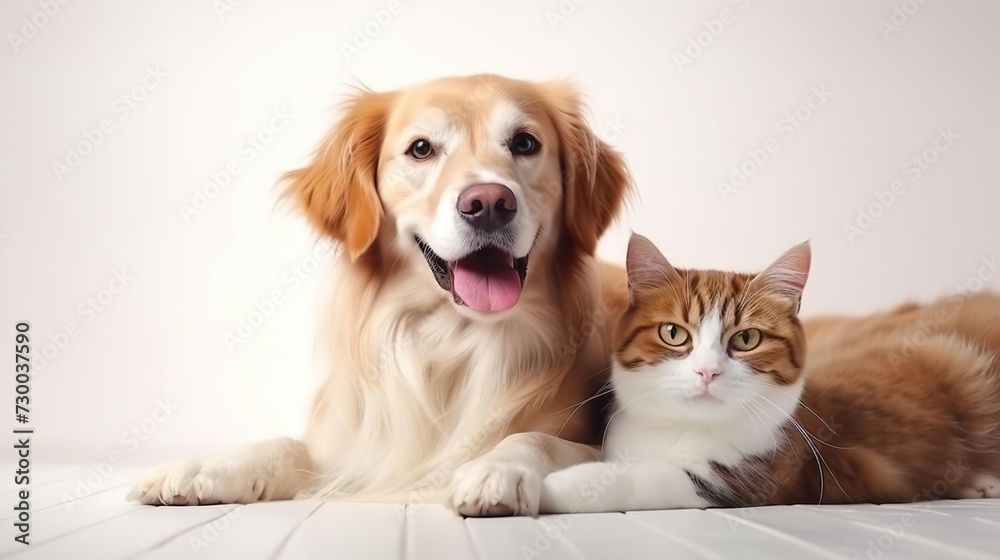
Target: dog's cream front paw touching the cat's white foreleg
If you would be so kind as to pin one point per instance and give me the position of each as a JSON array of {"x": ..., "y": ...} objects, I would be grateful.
[{"x": 492, "y": 489}]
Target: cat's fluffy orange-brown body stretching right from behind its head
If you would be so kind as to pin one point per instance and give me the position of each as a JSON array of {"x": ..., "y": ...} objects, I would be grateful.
[{"x": 910, "y": 403}]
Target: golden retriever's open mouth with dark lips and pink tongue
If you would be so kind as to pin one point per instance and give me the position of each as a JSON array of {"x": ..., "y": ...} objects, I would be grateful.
[{"x": 487, "y": 279}]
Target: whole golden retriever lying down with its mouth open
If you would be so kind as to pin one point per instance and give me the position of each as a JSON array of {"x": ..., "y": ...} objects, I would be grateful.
[{"x": 470, "y": 320}]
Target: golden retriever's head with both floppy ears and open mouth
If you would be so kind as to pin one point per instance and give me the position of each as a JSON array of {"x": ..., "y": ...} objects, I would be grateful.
[{"x": 471, "y": 176}]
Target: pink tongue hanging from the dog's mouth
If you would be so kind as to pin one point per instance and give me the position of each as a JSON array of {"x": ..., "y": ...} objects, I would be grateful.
[{"x": 486, "y": 280}]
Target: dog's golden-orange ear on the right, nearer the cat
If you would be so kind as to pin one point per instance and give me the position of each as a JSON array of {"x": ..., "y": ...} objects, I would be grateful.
[{"x": 595, "y": 176}]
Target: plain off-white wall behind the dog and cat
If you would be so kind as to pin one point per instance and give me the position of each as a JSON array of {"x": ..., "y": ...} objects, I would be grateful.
[{"x": 198, "y": 80}]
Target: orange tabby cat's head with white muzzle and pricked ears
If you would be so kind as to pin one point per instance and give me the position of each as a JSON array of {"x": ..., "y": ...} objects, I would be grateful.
[{"x": 708, "y": 346}]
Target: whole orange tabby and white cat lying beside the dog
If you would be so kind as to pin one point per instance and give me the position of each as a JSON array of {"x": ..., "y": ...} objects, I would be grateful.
[{"x": 719, "y": 404}]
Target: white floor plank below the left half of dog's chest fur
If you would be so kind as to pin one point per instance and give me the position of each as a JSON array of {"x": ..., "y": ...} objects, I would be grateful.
[{"x": 348, "y": 530}]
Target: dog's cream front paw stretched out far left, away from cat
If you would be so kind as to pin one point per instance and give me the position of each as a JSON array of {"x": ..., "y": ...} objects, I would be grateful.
[{"x": 185, "y": 483}]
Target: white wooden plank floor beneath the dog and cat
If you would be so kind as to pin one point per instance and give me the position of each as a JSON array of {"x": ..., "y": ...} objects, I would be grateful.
[{"x": 103, "y": 526}]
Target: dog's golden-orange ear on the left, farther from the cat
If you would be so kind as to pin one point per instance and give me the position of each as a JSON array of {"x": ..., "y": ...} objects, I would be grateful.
[{"x": 337, "y": 190}]
